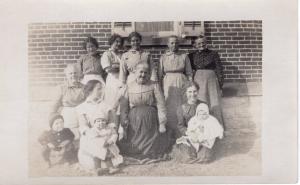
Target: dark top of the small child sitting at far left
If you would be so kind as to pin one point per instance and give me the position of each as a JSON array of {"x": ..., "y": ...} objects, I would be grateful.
[{"x": 56, "y": 138}]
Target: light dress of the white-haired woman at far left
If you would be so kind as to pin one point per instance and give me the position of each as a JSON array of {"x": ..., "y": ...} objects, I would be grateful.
[{"x": 67, "y": 97}]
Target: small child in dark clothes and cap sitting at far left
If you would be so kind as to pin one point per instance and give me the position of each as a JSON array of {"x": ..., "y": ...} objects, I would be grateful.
[{"x": 57, "y": 142}]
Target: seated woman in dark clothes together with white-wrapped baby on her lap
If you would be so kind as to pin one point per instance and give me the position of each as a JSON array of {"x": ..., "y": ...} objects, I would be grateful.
[{"x": 198, "y": 130}]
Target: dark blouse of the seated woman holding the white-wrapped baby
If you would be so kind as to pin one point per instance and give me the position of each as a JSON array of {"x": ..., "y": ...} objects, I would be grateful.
[{"x": 184, "y": 113}]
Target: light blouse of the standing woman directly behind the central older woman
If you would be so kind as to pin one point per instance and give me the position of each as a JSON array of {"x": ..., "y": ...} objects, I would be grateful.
[{"x": 129, "y": 61}]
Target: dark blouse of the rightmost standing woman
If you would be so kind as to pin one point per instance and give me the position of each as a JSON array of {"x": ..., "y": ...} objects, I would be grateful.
[{"x": 207, "y": 59}]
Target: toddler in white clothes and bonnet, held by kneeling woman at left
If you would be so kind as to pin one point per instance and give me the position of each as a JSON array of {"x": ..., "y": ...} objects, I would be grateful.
[{"x": 101, "y": 146}]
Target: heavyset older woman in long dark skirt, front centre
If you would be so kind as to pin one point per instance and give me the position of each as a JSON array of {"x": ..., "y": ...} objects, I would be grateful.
[{"x": 143, "y": 111}]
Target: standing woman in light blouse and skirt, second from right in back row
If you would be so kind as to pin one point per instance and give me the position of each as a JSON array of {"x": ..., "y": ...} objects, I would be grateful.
[{"x": 174, "y": 71}]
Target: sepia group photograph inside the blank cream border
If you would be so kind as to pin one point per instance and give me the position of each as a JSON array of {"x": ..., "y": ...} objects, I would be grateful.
[{"x": 153, "y": 98}]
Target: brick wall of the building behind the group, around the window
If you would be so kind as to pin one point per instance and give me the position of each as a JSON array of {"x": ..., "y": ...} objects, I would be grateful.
[{"x": 53, "y": 45}]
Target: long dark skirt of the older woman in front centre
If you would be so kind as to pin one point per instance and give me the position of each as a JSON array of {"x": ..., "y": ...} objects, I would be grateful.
[{"x": 143, "y": 138}]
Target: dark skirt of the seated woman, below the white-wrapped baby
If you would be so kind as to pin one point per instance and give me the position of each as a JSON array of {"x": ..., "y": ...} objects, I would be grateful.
[{"x": 187, "y": 154}]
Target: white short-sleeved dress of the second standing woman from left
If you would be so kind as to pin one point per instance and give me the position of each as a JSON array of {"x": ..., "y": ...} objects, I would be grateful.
[{"x": 110, "y": 59}]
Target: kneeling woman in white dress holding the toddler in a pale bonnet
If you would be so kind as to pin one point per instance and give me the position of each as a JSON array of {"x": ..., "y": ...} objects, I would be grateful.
[{"x": 86, "y": 111}]
